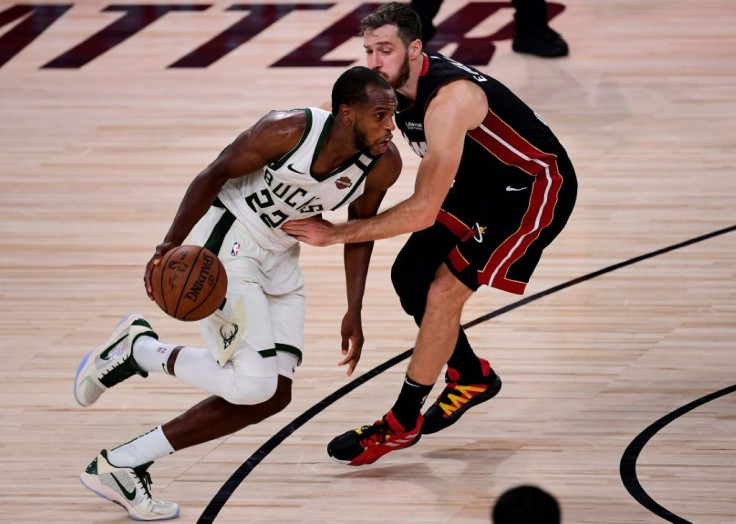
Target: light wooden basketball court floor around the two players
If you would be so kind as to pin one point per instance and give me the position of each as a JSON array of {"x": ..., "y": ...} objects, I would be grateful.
[{"x": 619, "y": 368}]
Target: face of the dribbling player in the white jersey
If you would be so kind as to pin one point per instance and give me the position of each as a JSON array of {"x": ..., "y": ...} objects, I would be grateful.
[{"x": 374, "y": 122}]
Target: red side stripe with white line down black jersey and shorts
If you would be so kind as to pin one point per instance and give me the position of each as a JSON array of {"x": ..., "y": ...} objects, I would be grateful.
[{"x": 508, "y": 146}]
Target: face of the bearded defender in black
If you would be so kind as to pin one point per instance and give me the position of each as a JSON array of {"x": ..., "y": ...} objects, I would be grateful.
[{"x": 387, "y": 55}]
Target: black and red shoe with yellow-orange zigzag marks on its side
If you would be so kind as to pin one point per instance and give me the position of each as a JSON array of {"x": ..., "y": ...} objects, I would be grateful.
[{"x": 459, "y": 396}]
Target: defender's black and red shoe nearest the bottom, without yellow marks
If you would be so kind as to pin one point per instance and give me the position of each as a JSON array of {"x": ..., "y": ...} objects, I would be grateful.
[{"x": 367, "y": 444}]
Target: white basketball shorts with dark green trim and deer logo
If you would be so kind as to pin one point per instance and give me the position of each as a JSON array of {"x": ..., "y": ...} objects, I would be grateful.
[{"x": 260, "y": 328}]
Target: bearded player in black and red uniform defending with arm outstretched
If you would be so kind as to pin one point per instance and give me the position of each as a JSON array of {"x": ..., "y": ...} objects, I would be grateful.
[{"x": 493, "y": 189}]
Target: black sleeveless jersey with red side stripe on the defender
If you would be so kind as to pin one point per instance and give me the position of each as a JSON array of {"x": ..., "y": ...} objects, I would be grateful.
[{"x": 507, "y": 151}]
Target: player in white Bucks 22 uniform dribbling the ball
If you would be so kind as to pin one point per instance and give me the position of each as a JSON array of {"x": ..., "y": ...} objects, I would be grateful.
[{"x": 290, "y": 164}]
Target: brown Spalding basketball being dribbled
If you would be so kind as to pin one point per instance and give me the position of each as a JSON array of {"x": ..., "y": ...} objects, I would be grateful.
[{"x": 189, "y": 283}]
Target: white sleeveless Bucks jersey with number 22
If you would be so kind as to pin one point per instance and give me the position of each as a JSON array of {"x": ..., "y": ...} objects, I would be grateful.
[{"x": 287, "y": 189}]
